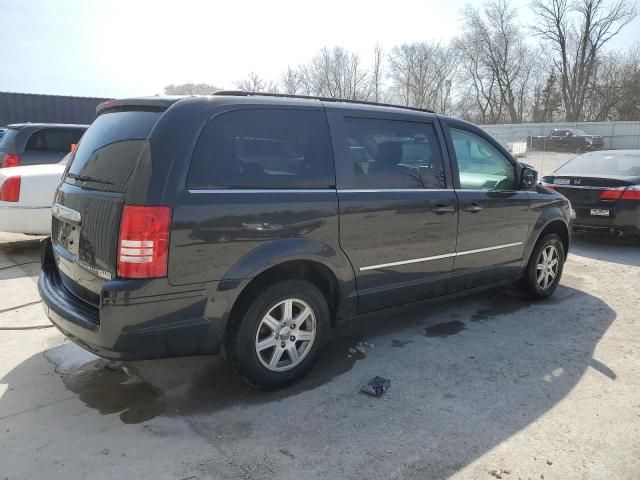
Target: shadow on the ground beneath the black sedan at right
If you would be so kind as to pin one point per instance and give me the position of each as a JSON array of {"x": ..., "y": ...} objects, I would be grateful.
[{"x": 608, "y": 248}]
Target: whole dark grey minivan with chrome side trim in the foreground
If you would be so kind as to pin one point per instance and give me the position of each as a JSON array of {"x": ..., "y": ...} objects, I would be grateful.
[{"x": 165, "y": 237}]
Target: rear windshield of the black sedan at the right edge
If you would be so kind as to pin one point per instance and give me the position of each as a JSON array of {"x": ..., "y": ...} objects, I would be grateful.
[{"x": 603, "y": 163}]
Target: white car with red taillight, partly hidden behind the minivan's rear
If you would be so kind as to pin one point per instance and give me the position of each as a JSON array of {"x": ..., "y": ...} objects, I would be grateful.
[{"x": 26, "y": 195}]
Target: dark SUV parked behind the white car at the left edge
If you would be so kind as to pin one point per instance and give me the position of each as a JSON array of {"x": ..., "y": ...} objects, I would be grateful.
[{"x": 37, "y": 143}]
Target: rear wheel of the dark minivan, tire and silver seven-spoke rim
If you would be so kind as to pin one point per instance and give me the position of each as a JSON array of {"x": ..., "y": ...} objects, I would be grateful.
[{"x": 255, "y": 340}]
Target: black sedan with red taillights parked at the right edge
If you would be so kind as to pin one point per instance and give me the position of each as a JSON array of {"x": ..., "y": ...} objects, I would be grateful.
[{"x": 604, "y": 189}]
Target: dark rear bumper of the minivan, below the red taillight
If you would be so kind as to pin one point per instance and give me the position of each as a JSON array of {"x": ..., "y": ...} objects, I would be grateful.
[{"x": 129, "y": 325}]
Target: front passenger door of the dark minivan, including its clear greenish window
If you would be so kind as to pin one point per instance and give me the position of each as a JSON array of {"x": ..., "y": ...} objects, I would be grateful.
[{"x": 494, "y": 214}]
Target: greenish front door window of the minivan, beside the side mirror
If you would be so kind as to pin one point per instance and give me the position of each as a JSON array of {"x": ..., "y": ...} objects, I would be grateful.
[{"x": 481, "y": 166}]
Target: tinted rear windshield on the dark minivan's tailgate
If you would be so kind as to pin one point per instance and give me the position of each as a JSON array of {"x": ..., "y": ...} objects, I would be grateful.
[{"x": 108, "y": 152}]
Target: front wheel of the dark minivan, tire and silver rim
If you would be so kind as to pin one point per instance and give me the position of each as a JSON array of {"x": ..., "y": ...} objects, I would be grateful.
[{"x": 530, "y": 283}]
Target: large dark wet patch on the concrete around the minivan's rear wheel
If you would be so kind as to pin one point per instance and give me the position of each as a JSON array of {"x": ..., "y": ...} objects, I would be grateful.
[{"x": 124, "y": 391}]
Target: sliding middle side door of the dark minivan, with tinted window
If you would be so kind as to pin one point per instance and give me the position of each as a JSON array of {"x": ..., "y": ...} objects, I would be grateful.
[{"x": 398, "y": 210}]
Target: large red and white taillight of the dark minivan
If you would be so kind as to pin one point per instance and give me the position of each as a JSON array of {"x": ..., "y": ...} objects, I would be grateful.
[{"x": 143, "y": 244}]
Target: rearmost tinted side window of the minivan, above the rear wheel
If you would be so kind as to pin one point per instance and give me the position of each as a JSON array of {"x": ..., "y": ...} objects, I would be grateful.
[{"x": 264, "y": 148}]
